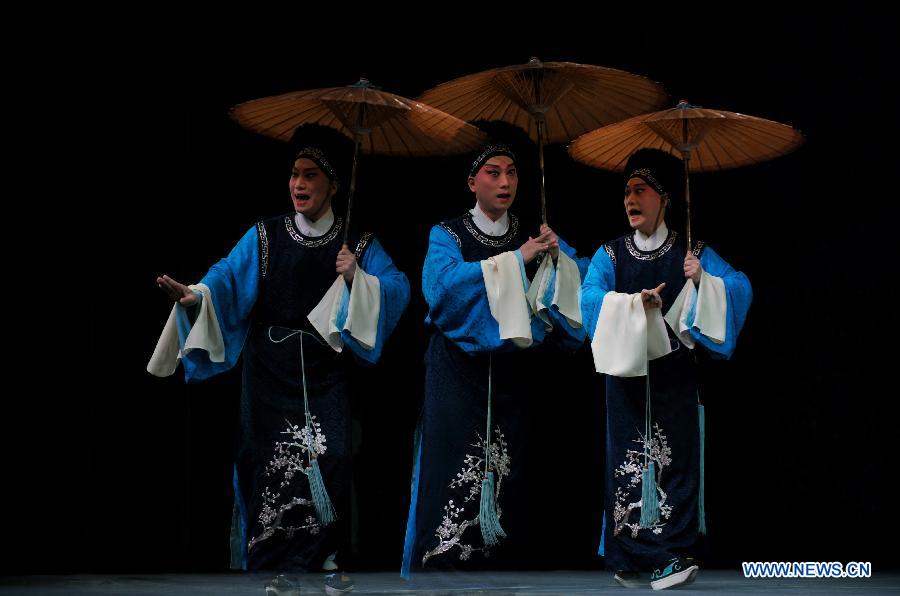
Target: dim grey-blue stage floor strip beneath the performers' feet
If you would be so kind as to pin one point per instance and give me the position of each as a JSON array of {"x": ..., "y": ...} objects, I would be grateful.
[{"x": 470, "y": 584}]
